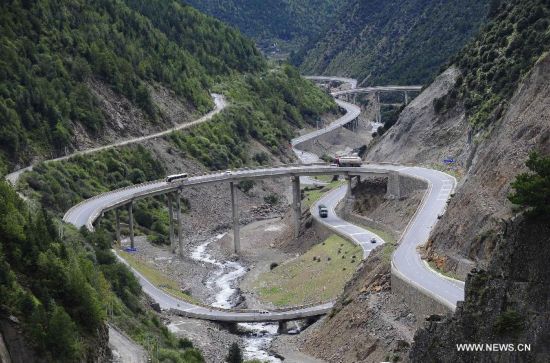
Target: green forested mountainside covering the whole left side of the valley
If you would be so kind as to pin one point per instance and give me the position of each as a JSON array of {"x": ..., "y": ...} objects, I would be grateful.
[{"x": 59, "y": 287}]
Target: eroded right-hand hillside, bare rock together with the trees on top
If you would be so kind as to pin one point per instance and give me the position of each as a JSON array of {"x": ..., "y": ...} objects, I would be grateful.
[{"x": 487, "y": 128}]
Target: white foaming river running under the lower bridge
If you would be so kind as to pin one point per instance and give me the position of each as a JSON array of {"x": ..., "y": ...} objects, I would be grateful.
[{"x": 257, "y": 337}]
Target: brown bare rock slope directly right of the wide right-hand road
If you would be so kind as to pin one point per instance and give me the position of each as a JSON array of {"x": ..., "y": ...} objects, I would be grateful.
[{"x": 474, "y": 215}]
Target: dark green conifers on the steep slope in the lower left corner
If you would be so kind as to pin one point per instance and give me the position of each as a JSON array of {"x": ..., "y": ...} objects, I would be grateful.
[{"x": 51, "y": 285}]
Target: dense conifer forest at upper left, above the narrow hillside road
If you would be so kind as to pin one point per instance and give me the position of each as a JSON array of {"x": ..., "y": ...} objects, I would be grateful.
[{"x": 51, "y": 49}]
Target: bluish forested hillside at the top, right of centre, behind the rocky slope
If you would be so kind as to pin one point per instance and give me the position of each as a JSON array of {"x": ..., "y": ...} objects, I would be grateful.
[{"x": 393, "y": 42}]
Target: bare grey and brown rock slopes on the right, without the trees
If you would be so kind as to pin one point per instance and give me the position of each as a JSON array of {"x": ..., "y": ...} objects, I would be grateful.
[{"x": 465, "y": 236}]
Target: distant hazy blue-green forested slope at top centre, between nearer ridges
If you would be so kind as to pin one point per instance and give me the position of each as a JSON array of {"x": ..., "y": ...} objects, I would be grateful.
[{"x": 289, "y": 23}]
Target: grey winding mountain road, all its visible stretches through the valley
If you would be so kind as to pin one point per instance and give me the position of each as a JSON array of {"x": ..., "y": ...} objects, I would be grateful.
[{"x": 406, "y": 260}]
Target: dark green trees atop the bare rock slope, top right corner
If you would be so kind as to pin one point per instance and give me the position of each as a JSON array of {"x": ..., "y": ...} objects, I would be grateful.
[{"x": 494, "y": 62}]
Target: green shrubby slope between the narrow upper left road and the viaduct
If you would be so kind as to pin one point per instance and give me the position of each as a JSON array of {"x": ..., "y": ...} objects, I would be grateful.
[{"x": 266, "y": 107}]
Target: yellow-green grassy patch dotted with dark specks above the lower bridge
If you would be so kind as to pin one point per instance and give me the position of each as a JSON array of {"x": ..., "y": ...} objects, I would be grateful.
[{"x": 317, "y": 275}]
